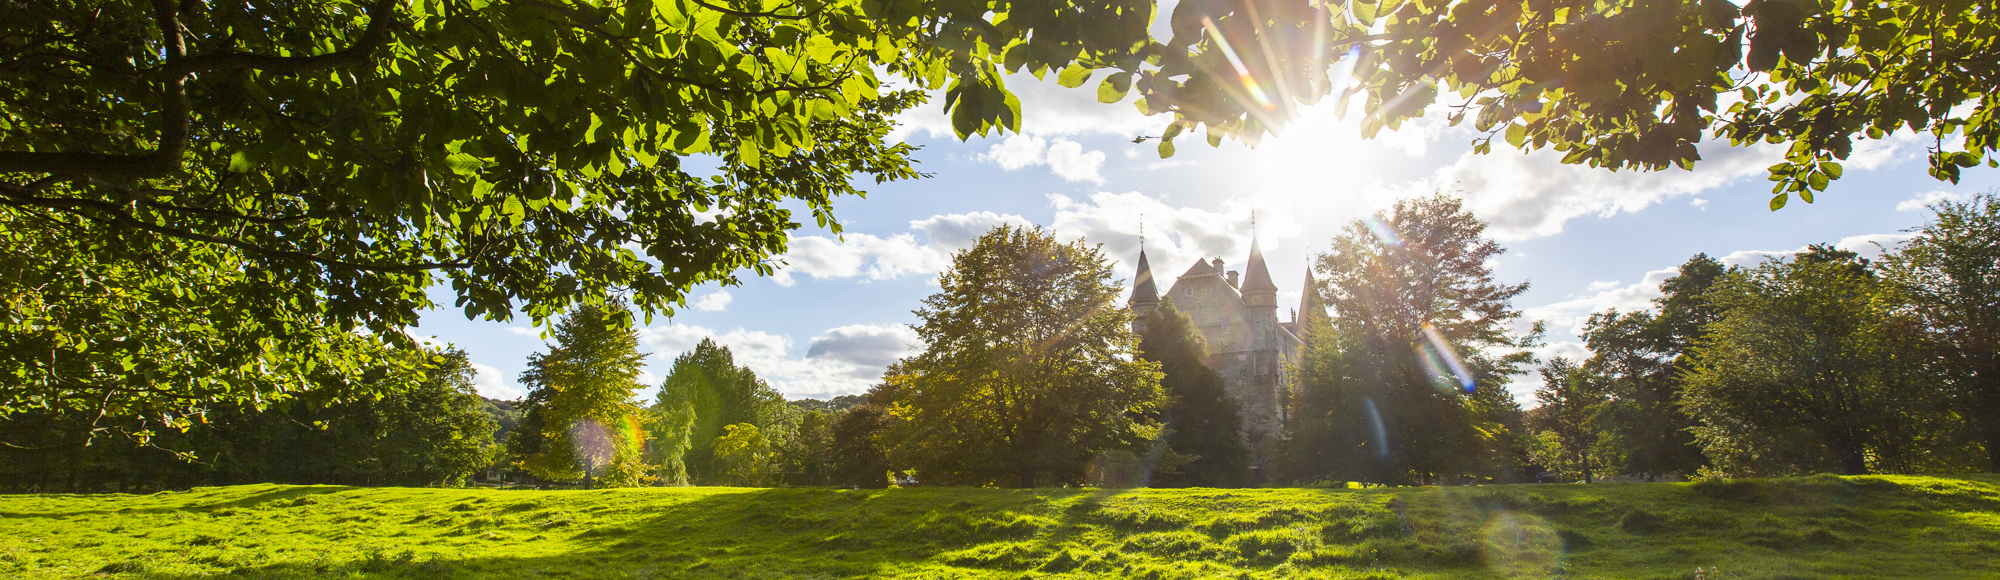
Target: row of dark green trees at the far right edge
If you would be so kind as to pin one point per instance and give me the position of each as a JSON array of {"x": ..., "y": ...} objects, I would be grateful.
[{"x": 1819, "y": 363}]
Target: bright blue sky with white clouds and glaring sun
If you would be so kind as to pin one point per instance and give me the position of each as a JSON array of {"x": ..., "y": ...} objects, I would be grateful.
[{"x": 1585, "y": 239}]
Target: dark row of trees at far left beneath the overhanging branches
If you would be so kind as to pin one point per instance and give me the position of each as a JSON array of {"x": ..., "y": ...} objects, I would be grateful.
[{"x": 419, "y": 425}]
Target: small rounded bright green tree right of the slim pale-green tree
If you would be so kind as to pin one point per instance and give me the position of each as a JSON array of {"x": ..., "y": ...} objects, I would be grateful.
[{"x": 709, "y": 393}]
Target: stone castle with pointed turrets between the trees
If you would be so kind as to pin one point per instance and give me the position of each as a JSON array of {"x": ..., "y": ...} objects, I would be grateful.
[{"x": 1247, "y": 343}]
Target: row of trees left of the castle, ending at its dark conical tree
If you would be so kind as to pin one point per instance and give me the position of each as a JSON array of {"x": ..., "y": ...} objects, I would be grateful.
[{"x": 1027, "y": 379}]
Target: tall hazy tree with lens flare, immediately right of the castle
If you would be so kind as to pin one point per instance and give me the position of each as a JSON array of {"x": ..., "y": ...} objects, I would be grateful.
[{"x": 1407, "y": 383}]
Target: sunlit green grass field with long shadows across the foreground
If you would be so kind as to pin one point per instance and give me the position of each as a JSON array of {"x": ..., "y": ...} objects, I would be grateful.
[{"x": 1875, "y": 527}]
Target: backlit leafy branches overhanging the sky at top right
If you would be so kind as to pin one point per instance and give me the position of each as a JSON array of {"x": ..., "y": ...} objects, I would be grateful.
[{"x": 1615, "y": 85}]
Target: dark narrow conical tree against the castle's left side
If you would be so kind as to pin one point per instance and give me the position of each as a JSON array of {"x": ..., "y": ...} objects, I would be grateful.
[{"x": 1201, "y": 419}]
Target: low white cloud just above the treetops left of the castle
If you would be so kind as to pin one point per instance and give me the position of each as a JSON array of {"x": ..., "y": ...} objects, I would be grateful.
[{"x": 841, "y": 361}]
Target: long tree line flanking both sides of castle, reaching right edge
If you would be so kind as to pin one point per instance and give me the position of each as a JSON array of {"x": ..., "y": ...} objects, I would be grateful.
[{"x": 1031, "y": 377}]
